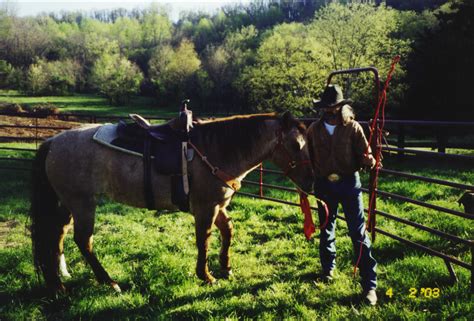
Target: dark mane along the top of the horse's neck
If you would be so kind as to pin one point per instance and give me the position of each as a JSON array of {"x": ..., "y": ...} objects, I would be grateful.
[{"x": 234, "y": 136}]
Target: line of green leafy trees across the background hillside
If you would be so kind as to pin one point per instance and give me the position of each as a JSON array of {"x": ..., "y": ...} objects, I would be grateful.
[{"x": 266, "y": 55}]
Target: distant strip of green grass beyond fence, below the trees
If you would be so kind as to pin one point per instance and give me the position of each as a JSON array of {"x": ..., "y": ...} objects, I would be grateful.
[{"x": 92, "y": 104}]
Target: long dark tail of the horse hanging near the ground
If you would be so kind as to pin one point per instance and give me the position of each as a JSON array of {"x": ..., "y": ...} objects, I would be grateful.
[{"x": 48, "y": 220}]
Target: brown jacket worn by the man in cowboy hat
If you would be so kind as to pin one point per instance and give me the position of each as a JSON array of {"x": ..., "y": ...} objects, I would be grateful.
[{"x": 341, "y": 153}]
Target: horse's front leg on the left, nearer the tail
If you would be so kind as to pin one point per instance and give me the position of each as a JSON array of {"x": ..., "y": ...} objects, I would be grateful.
[{"x": 204, "y": 219}]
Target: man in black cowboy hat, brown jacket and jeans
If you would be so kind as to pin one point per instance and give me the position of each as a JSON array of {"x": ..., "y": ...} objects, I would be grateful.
[{"x": 338, "y": 151}]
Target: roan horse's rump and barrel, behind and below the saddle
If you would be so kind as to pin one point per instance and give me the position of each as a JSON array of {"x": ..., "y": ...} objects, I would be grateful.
[{"x": 77, "y": 166}]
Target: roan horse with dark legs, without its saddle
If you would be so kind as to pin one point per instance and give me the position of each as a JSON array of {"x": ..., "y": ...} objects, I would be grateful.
[{"x": 71, "y": 171}]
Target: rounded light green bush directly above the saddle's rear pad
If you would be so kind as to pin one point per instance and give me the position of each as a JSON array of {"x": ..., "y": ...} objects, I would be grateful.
[{"x": 117, "y": 78}]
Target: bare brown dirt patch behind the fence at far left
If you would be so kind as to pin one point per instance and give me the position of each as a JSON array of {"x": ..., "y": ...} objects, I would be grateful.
[{"x": 31, "y": 131}]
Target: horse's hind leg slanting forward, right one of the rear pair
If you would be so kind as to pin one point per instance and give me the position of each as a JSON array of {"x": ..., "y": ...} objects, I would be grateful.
[{"x": 83, "y": 230}]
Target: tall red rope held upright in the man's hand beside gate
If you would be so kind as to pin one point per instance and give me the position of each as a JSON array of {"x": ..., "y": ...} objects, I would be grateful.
[{"x": 382, "y": 100}]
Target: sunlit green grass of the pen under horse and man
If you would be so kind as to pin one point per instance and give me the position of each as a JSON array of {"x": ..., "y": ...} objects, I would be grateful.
[{"x": 152, "y": 256}]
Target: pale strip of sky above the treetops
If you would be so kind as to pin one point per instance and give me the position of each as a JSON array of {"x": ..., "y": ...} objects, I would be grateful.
[{"x": 34, "y": 7}]
